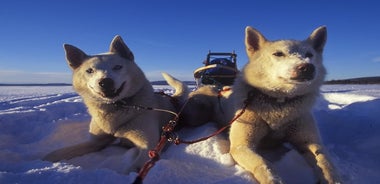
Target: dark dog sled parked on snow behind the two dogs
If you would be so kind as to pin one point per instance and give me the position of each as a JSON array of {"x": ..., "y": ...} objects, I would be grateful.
[{"x": 220, "y": 70}]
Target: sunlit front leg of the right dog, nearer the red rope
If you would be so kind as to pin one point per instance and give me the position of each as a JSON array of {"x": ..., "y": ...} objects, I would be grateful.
[{"x": 244, "y": 137}]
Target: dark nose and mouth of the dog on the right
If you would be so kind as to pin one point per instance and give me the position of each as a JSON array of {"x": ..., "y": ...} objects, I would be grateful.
[{"x": 303, "y": 72}]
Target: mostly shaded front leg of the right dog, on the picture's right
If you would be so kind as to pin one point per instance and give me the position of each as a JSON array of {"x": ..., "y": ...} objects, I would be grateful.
[{"x": 307, "y": 140}]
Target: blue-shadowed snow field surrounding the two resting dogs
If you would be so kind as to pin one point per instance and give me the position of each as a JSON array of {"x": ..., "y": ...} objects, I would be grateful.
[{"x": 37, "y": 120}]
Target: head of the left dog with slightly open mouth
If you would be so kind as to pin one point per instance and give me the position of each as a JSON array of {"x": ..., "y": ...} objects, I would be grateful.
[{"x": 107, "y": 77}]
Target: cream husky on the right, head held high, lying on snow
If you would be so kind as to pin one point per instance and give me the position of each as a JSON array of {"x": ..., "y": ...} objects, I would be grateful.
[{"x": 278, "y": 86}]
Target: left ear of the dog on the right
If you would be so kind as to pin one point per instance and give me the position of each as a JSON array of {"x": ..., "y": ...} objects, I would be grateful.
[{"x": 253, "y": 40}]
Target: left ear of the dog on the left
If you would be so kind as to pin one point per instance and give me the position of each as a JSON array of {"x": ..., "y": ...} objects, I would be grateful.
[{"x": 74, "y": 56}]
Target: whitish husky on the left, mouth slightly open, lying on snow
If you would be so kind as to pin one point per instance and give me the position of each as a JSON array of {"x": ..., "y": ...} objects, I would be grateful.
[{"x": 112, "y": 85}]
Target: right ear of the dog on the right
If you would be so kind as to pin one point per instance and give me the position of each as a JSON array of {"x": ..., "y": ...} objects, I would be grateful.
[{"x": 318, "y": 38}]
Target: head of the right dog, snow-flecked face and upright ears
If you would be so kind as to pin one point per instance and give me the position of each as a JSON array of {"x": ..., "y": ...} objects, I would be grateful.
[{"x": 285, "y": 68}]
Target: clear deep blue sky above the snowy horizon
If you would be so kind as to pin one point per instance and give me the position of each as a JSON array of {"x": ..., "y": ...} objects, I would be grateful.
[{"x": 175, "y": 36}]
